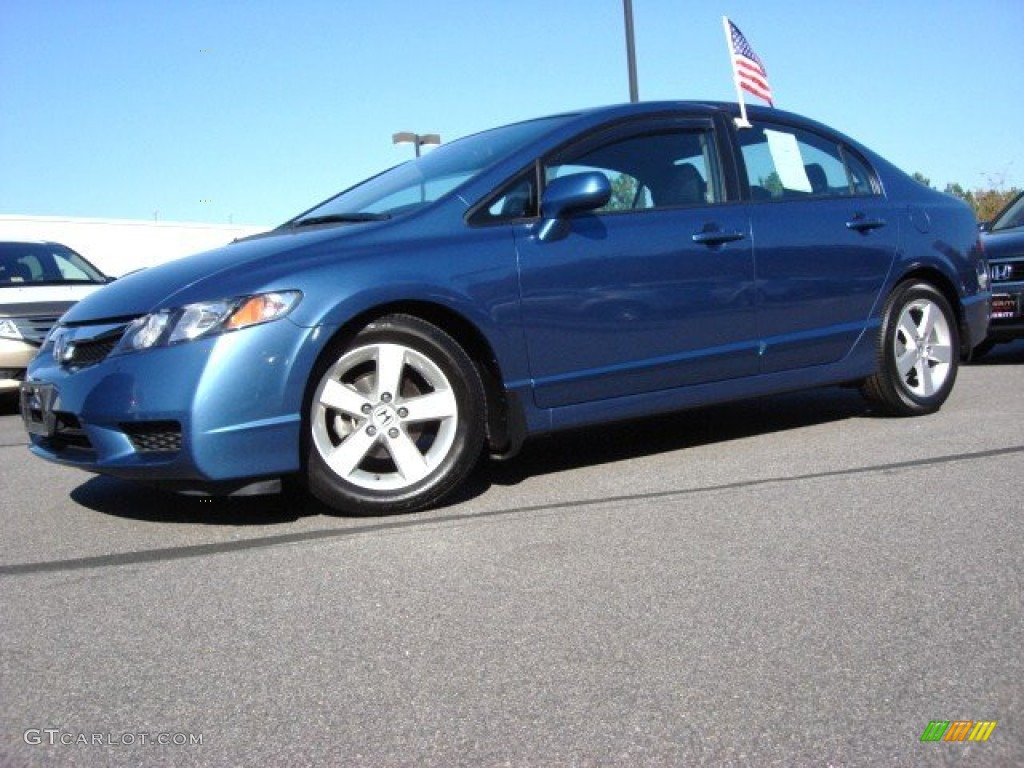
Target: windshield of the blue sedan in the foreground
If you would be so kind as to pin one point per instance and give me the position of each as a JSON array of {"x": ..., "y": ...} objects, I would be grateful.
[{"x": 419, "y": 183}]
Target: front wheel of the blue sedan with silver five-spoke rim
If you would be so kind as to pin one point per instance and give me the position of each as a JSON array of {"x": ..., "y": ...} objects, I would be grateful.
[{"x": 396, "y": 419}]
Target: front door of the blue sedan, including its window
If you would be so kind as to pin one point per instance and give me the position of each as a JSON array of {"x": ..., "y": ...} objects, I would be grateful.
[{"x": 653, "y": 292}]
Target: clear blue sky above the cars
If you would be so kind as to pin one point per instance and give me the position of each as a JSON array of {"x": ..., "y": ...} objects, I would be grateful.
[{"x": 249, "y": 112}]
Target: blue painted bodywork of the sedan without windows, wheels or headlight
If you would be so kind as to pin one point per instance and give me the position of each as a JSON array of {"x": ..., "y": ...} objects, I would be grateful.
[{"x": 624, "y": 317}]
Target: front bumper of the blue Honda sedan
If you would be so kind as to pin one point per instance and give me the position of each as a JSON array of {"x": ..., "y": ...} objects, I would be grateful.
[{"x": 207, "y": 413}]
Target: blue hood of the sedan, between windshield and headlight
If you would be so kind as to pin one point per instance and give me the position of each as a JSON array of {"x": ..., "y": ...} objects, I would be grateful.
[{"x": 169, "y": 285}]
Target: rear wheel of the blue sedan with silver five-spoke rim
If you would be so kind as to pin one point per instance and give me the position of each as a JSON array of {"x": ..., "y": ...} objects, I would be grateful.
[{"x": 918, "y": 353}]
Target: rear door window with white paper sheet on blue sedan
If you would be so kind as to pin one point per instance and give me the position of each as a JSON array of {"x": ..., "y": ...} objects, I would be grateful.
[{"x": 788, "y": 163}]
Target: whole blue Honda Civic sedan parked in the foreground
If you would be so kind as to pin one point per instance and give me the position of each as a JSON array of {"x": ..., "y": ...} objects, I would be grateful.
[{"x": 589, "y": 268}]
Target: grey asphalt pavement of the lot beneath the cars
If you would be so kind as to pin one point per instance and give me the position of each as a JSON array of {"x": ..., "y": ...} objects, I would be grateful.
[{"x": 786, "y": 582}]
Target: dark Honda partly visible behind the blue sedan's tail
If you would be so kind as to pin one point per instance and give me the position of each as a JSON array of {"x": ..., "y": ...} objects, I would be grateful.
[{"x": 1004, "y": 241}]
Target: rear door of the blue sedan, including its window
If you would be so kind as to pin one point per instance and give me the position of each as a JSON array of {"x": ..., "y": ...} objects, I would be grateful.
[{"x": 826, "y": 241}]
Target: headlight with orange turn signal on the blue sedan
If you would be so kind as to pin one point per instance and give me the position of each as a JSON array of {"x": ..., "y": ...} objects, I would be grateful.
[{"x": 206, "y": 319}]
